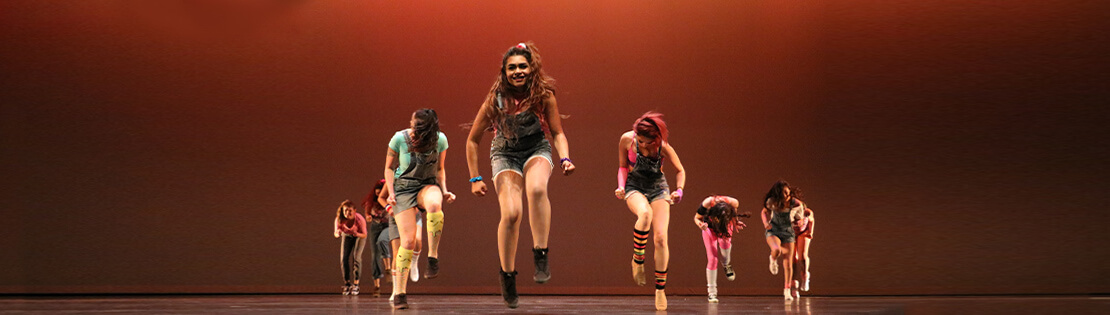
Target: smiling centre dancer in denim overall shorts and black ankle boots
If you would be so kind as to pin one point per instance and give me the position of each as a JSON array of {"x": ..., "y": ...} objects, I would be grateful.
[{"x": 520, "y": 108}]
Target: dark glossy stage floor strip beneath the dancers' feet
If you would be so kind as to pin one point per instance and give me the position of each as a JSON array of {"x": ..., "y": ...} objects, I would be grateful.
[{"x": 492, "y": 304}]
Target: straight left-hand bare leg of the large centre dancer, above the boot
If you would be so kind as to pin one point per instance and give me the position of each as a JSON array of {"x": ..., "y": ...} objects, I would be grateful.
[{"x": 510, "y": 187}]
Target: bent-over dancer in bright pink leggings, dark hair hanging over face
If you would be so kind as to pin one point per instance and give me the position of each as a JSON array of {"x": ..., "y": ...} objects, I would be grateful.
[{"x": 717, "y": 218}]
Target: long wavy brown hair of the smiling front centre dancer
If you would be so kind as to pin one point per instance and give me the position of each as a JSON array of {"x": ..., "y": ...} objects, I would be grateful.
[{"x": 539, "y": 86}]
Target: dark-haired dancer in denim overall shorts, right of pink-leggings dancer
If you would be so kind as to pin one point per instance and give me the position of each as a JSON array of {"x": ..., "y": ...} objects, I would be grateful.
[{"x": 782, "y": 209}]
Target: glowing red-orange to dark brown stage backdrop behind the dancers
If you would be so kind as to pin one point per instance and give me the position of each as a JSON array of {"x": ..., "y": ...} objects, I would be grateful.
[{"x": 203, "y": 147}]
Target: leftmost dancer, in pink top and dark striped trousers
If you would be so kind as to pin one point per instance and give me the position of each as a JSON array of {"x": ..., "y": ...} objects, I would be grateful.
[{"x": 351, "y": 227}]
